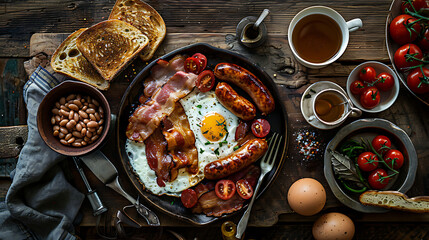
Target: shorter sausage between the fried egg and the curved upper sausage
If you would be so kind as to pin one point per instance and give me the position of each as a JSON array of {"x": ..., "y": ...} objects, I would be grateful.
[{"x": 235, "y": 103}]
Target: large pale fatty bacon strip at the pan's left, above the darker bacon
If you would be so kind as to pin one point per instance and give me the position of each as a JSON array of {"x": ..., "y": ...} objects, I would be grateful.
[{"x": 147, "y": 117}]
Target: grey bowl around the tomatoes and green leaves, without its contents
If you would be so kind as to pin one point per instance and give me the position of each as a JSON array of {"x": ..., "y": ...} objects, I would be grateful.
[{"x": 370, "y": 128}]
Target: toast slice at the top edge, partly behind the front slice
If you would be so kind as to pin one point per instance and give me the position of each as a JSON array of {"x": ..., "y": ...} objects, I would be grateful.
[{"x": 145, "y": 18}]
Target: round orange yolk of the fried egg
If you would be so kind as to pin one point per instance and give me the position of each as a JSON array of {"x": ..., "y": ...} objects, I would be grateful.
[{"x": 213, "y": 127}]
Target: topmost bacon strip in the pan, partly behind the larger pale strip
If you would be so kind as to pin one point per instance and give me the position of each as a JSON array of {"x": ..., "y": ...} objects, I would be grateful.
[{"x": 161, "y": 72}]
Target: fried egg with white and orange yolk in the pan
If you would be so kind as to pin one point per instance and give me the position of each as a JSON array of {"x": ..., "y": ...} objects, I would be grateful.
[{"x": 214, "y": 128}]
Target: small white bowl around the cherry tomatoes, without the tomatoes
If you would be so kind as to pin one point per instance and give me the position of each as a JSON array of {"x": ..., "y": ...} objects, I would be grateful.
[{"x": 386, "y": 98}]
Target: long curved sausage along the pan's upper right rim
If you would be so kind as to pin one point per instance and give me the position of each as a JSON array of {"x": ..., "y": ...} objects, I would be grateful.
[{"x": 249, "y": 83}]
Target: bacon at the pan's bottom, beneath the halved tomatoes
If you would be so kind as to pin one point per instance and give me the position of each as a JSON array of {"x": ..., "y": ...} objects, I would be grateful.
[{"x": 211, "y": 205}]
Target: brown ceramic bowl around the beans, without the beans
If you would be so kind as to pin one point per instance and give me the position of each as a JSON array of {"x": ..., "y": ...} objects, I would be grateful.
[{"x": 44, "y": 115}]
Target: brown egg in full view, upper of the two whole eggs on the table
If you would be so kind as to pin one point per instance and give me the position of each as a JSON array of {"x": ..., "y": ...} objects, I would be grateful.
[{"x": 306, "y": 196}]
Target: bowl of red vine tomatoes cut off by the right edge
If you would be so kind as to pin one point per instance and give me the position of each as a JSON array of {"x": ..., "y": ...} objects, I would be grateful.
[{"x": 400, "y": 43}]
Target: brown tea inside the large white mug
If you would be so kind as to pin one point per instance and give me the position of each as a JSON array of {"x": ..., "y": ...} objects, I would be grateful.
[{"x": 317, "y": 38}]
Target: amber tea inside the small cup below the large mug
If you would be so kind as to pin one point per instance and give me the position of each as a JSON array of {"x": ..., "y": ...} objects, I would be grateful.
[{"x": 328, "y": 107}]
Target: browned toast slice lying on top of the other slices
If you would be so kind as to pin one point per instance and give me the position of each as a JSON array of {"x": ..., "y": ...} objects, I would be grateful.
[{"x": 110, "y": 46}]
